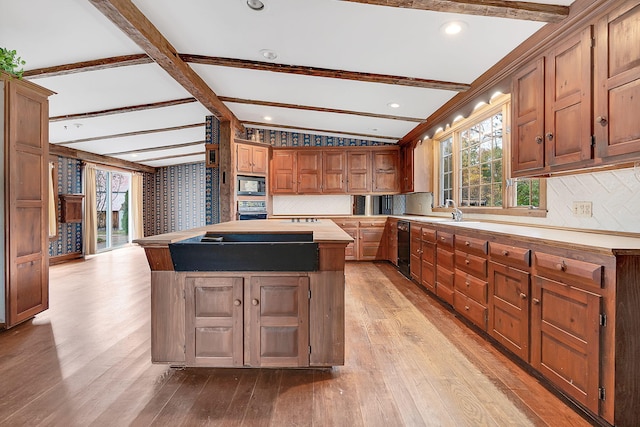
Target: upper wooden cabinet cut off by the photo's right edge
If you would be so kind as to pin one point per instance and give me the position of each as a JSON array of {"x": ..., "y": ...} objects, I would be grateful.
[{"x": 617, "y": 95}]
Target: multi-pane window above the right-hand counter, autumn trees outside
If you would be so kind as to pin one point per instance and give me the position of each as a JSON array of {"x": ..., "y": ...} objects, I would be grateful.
[{"x": 473, "y": 164}]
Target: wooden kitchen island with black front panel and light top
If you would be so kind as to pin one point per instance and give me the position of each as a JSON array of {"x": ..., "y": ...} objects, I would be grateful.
[{"x": 245, "y": 317}]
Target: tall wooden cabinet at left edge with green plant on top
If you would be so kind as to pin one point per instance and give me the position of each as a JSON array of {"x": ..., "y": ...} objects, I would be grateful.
[{"x": 24, "y": 141}]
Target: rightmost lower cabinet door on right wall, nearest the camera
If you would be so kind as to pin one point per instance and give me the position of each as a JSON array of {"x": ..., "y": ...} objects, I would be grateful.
[{"x": 565, "y": 338}]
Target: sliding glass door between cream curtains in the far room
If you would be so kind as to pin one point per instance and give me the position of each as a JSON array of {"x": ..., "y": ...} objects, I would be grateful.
[{"x": 112, "y": 204}]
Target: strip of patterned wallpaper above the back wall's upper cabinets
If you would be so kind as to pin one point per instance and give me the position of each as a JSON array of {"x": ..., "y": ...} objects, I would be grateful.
[{"x": 279, "y": 138}]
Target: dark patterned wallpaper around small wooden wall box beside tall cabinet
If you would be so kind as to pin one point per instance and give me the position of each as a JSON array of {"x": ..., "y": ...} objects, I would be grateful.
[{"x": 69, "y": 235}]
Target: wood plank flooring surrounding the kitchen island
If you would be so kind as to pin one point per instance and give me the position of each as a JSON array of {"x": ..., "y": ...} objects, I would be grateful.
[{"x": 409, "y": 362}]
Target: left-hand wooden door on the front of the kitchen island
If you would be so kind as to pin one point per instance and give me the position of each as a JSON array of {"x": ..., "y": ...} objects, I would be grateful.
[{"x": 214, "y": 321}]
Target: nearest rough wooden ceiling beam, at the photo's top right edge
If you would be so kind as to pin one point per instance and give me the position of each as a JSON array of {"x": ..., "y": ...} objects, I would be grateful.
[{"x": 496, "y": 8}]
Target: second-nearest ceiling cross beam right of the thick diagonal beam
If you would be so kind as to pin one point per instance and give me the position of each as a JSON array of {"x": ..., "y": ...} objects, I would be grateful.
[{"x": 324, "y": 72}]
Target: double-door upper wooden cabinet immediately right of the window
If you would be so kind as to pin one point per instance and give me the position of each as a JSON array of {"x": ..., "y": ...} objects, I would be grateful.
[{"x": 552, "y": 109}]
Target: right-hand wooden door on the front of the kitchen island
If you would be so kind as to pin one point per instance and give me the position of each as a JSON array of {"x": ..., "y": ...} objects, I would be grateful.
[{"x": 279, "y": 321}]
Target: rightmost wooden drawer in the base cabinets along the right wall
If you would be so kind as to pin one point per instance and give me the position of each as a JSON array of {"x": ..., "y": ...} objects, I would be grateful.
[{"x": 568, "y": 271}]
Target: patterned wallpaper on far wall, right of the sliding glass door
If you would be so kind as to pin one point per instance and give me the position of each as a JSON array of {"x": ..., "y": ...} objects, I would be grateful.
[{"x": 174, "y": 199}]
